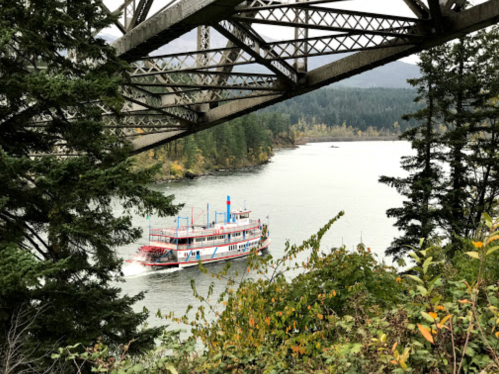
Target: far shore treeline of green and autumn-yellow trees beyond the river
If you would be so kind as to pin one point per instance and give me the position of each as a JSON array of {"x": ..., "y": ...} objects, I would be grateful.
[{"x": 328, "y": 114}]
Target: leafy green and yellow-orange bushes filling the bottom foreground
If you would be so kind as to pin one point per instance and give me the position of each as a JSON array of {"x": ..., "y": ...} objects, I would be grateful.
[{"x": 343, "y": 313}]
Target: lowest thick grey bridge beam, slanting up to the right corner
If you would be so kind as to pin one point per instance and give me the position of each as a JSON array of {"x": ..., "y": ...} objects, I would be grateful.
[{"x": 455, "y": 26}]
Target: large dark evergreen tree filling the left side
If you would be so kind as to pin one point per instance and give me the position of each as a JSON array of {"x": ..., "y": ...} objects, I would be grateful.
[{"x": 58, "y": 229}]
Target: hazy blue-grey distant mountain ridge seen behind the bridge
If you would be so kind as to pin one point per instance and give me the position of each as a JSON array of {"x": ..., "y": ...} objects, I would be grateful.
[{"x": 392, "y": 75}]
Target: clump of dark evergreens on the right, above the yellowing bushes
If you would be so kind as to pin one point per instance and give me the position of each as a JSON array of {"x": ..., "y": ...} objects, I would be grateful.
[{"x": 461, "y": 89}]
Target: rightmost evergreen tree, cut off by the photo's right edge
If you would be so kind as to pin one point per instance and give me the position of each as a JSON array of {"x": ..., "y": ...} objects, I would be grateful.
[{"x": 483, "y": 128}]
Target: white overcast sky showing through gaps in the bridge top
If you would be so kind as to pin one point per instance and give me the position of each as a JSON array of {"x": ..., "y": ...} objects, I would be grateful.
[{"x": 391, "y": 7}]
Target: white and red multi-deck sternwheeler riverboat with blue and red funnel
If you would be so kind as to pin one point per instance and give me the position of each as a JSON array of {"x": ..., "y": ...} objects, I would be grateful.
[{"x": 183, "y": 246}]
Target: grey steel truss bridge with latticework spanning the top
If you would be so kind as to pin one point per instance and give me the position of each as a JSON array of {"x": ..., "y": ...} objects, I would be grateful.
[{"x": 170, "y": 96}]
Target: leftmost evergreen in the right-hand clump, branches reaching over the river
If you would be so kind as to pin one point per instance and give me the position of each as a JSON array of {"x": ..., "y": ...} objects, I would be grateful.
[{"x": 419, "y": 215}]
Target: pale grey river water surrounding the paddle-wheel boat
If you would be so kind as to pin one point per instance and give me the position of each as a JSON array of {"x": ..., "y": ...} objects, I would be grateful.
[{"x": 300, "y": 190}]
